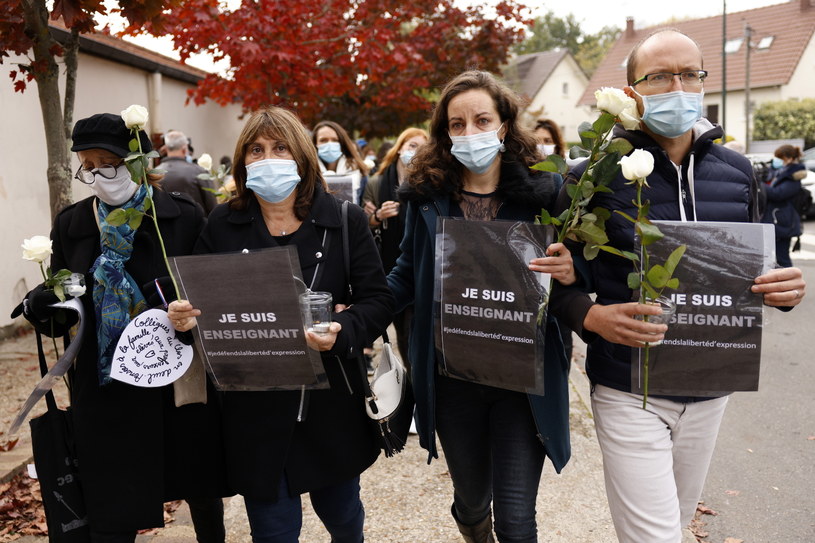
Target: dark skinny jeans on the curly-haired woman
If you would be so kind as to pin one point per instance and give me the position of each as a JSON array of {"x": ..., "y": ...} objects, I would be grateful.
[{"x": 493, "y": 454}]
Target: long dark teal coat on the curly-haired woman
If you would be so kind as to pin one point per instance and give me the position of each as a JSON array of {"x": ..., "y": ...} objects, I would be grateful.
[{"x": 412, "y": 281}]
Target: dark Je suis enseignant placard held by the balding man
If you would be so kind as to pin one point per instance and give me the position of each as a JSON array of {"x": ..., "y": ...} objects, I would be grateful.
[{"x": 713, "y": 343}]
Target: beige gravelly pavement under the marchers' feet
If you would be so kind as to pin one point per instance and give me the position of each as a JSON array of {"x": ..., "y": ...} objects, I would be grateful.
[{"x": 406, "y": 500}]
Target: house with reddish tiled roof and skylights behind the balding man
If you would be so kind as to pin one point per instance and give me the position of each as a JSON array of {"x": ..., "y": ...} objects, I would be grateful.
[{"x": 782, "y": 59}]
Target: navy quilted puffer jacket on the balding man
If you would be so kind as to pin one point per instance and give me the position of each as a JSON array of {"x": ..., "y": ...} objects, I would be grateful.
[{"x": 713, "y": 183}]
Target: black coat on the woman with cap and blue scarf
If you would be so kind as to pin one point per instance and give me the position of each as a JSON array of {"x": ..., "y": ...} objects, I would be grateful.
[{"x": 136, "y": 450}]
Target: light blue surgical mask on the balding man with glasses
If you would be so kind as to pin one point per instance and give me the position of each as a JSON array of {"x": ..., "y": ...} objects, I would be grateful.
[{"x": 671, "y": 114}]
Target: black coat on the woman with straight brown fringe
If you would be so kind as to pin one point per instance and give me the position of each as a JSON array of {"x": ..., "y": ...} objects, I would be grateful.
[{"x": 335, "y": 441}]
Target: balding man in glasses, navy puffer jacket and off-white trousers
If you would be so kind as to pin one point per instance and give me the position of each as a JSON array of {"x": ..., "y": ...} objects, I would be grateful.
[{"x": 656, "y": 459}]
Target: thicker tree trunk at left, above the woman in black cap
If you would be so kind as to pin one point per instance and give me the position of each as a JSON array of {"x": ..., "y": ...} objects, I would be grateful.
[{"x": 46, "y": 74}]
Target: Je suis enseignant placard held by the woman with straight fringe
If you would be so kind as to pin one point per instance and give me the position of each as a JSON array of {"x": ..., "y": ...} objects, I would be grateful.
[{"x": 250, "y": 332}]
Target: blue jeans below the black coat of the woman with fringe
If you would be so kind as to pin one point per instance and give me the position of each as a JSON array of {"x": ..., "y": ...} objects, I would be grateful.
[{"x": 338, "y": 506}]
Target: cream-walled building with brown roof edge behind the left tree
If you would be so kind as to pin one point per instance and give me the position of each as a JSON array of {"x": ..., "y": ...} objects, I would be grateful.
[{"x": 112, "y": 75}]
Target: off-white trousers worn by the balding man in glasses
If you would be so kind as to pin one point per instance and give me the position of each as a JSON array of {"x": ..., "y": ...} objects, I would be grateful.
[{"x": 655, "y": 461}]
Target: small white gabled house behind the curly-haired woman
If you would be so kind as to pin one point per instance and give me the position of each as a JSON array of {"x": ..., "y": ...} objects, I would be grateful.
[{"x": 552, "y": 82}]
